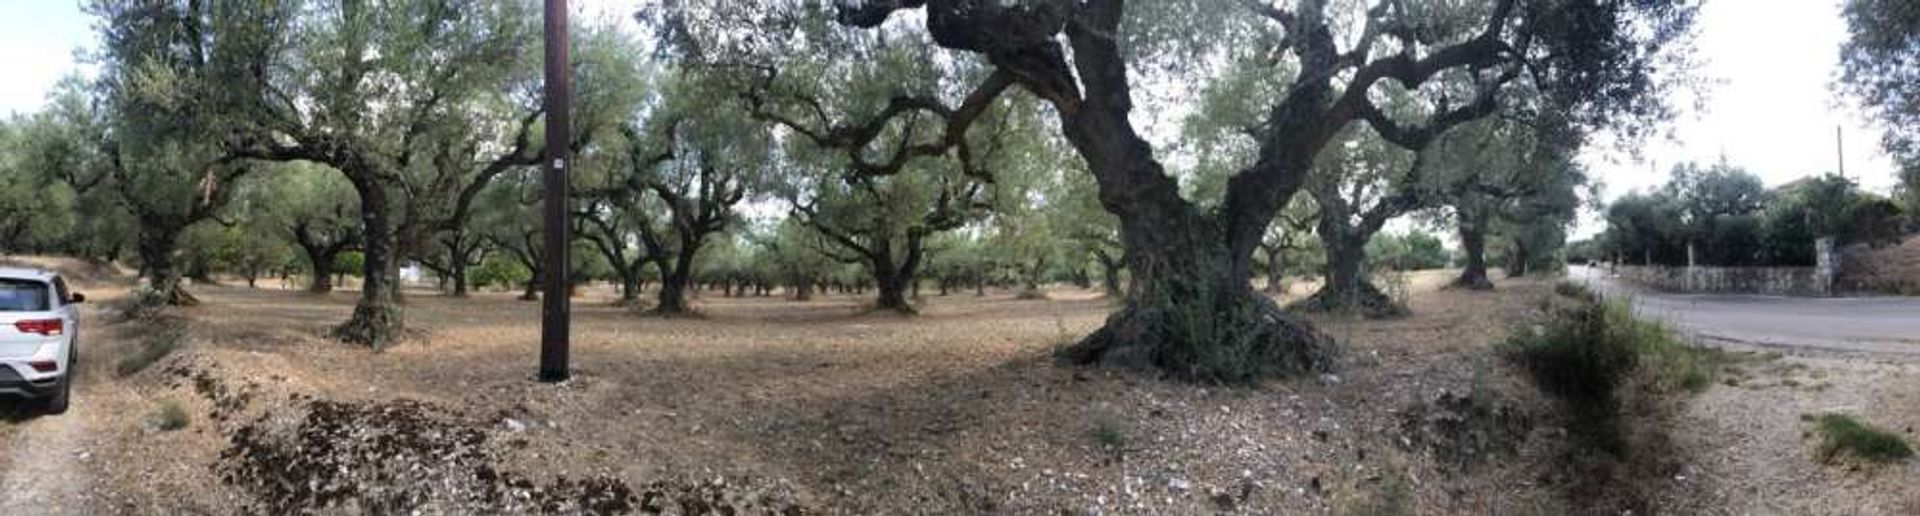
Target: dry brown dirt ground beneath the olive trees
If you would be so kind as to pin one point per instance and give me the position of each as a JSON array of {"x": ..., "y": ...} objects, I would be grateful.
[{"x": 779, "y": 408}]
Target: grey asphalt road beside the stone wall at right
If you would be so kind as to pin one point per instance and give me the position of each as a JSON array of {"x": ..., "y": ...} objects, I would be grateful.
[{"x": 1848, "y": 325}]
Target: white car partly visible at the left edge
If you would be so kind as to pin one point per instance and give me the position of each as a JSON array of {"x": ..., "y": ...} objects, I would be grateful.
[{"x": 39, "y": 333}]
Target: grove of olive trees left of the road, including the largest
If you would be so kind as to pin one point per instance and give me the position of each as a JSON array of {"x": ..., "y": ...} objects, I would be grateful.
[{"x": 811, "y": 145}]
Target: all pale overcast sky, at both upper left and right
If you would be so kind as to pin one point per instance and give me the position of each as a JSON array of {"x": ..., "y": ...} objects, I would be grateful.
[{"x": 1767, "y": 108}]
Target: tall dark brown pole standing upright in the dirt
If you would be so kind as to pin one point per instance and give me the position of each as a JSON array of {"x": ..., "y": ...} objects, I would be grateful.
[{"x": 556, "y": 304}]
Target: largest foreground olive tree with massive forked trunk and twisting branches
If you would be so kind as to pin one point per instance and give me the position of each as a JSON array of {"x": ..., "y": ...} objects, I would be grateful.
[{"x": 1191, "y": 310}]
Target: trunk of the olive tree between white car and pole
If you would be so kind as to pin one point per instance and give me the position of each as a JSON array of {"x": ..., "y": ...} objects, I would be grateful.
[{"x": 377, "y": 319}]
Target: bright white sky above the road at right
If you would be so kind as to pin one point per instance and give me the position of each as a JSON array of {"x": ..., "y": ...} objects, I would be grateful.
[{"x": 1769, "y": 110}]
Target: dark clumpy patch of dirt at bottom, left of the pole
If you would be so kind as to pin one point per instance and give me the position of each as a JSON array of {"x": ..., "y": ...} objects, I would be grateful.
[{"x": 408, "y": 457}]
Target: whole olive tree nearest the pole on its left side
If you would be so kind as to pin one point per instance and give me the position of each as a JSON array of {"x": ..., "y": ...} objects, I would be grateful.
[{"x": 362, "y": 89}]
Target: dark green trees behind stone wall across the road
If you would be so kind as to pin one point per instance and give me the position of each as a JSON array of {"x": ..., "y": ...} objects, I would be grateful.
[{"x": 1727, "y": 218}]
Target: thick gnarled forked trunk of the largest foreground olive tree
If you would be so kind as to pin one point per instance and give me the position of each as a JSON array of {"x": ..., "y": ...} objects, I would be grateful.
[{"x": 1191, "y": 310}]
